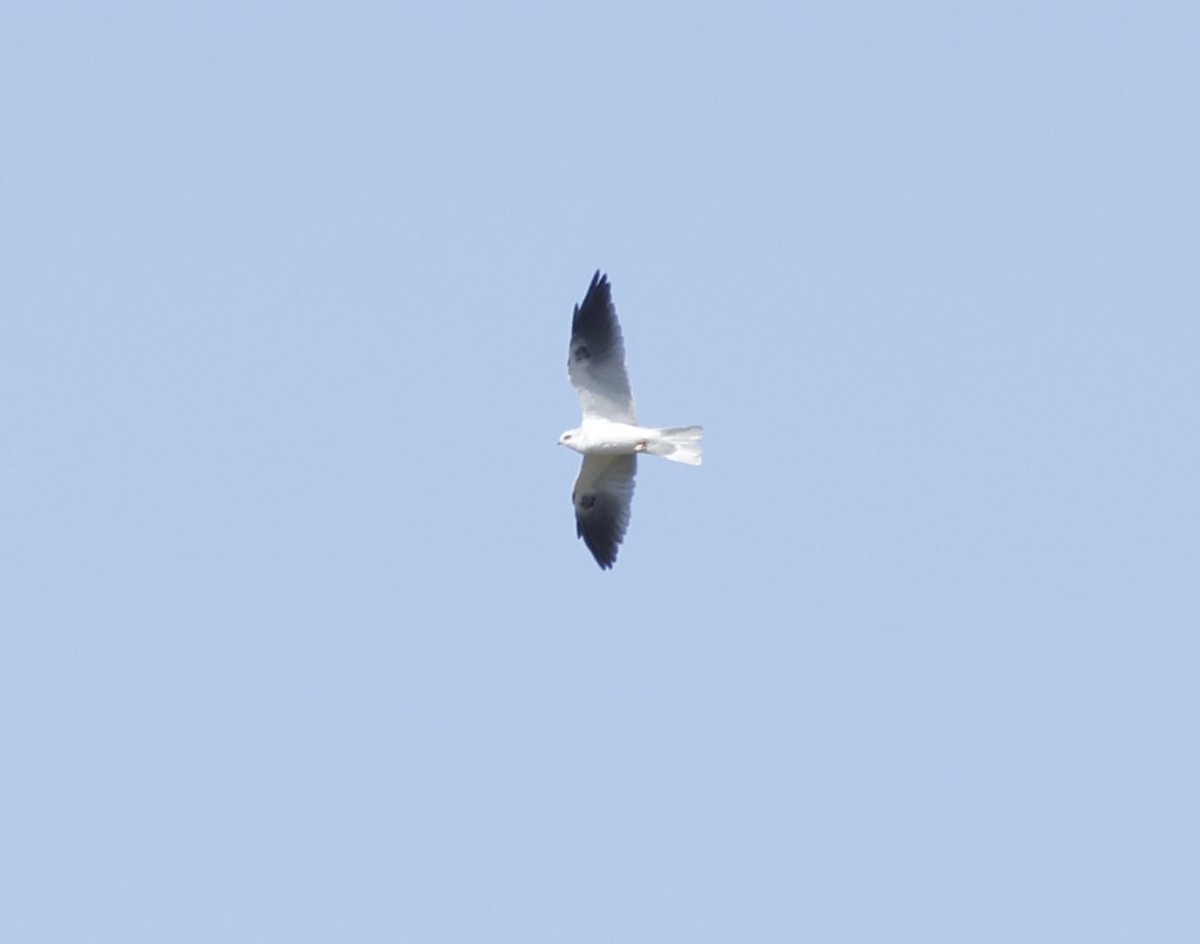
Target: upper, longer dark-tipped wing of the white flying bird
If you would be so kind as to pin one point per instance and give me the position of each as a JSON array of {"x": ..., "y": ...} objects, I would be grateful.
[{"x": 596, "y": 362}]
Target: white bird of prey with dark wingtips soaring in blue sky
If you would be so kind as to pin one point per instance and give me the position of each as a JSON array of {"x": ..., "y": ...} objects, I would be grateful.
[{"x": 609, "y": 436}]
